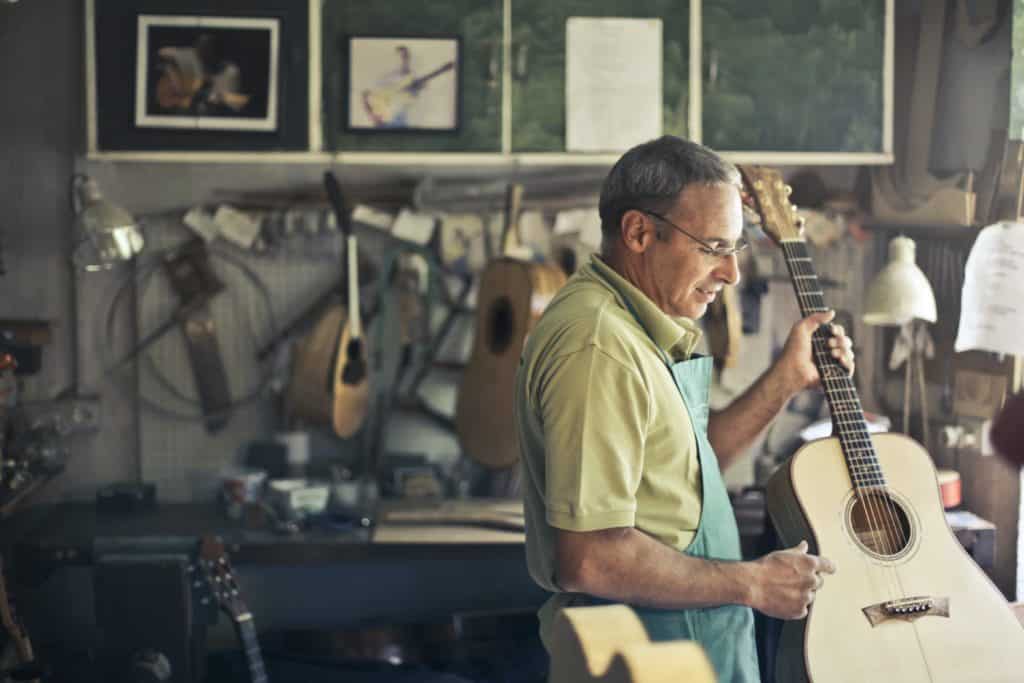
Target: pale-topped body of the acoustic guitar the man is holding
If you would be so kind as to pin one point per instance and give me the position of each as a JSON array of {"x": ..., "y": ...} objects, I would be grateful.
[{"x": 979, "y": 642}]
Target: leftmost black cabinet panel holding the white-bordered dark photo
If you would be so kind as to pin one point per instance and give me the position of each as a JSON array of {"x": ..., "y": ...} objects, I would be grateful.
[{"x": 264, "y": 47}]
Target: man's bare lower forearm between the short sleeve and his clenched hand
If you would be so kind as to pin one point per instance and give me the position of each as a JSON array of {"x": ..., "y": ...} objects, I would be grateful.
[{"x": 637, "y": 570}]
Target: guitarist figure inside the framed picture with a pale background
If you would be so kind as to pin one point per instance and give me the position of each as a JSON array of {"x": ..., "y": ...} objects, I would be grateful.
[{"x": 402, "y": 98}]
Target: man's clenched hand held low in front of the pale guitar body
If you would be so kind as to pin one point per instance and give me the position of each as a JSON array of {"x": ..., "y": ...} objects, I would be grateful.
[{"x": 786, "y": 581}]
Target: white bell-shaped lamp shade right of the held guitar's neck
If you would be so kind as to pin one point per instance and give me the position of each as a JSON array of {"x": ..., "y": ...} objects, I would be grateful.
[{"x": 901, "y": 293}]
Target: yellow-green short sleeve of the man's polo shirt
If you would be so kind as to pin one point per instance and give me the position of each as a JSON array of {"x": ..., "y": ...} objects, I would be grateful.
[{"x": 595, "y": 412}]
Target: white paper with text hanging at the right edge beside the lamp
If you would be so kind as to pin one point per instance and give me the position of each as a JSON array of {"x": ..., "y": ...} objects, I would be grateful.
[{"x": 992, "y": 306}]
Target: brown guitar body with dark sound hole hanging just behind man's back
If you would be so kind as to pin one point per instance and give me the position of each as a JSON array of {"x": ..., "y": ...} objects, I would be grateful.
[{"x": 513, "y": 296}]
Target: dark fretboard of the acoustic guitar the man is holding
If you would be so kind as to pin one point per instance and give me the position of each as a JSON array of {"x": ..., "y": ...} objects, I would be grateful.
[{"x": 848, "y": 416}]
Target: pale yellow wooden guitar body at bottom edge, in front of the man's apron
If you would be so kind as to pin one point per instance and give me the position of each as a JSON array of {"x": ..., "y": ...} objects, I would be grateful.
[{"x": 610, "y": 645}]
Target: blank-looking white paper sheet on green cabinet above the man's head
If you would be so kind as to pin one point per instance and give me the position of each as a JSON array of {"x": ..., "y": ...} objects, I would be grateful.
[{"x": 613, "y": 83}]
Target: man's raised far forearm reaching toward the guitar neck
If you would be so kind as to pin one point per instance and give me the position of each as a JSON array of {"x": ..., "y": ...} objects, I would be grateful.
[{"x": 735, "y": 429}]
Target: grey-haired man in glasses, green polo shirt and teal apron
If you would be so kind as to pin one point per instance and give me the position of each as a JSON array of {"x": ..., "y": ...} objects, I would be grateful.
[{"x": 624, "y": 497}]
